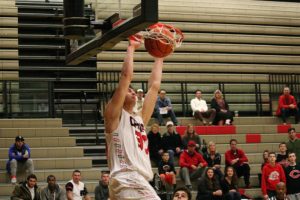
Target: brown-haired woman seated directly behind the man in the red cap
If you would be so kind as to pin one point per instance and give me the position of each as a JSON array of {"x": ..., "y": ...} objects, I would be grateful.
[{"x": 191, "y": 135}]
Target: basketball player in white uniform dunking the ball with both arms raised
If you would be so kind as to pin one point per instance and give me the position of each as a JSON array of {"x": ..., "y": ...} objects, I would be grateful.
[{"x": 127, "y": 143}]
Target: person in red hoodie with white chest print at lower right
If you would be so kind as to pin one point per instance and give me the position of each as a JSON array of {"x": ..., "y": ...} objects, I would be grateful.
[{"x": 272, "y": 174}]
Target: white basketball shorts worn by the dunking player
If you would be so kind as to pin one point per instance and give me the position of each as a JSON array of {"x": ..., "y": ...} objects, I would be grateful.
[{"x": 130, "y": 185}]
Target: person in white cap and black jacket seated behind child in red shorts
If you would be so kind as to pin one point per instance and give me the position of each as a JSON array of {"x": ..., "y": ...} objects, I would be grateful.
[{"x": 171, "y": 141}]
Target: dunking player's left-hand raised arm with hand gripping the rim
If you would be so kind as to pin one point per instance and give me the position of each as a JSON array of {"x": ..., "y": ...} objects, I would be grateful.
[{"x": 114, "y": 107}]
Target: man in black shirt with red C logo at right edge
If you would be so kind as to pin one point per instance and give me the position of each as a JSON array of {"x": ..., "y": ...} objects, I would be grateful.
[{"x": 292, "y": 172}]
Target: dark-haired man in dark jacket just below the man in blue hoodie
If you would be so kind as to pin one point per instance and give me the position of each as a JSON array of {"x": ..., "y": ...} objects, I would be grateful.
[{"x": 27, "y": 190}]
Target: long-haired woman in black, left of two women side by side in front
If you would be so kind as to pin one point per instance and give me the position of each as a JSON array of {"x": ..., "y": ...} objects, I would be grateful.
[{"x": 209, "y": 187}]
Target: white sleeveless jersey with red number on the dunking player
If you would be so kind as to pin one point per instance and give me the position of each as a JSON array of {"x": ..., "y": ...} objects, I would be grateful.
[{"x": 128, "y": 147}]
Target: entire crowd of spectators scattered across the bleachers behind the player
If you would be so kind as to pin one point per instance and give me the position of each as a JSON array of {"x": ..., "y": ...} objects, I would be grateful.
[{"x": 201, "y": 162}]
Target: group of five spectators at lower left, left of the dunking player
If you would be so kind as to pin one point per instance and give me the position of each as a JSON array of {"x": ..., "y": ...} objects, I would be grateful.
[{"x": 19, "y": 162}]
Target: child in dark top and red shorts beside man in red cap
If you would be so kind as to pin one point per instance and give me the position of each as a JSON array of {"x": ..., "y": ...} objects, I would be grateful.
[{"x": 167, "y": 172}]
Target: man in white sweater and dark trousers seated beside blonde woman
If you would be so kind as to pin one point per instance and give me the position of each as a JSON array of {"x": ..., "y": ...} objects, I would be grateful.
[{"x": 200, "y": 109}]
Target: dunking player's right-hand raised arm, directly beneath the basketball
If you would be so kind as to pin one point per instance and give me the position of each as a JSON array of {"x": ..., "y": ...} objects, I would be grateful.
[{"x": 154, "y": 85}]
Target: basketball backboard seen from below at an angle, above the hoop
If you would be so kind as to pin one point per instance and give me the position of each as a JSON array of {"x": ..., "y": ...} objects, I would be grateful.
[{"x": 116, "y": 20}]
